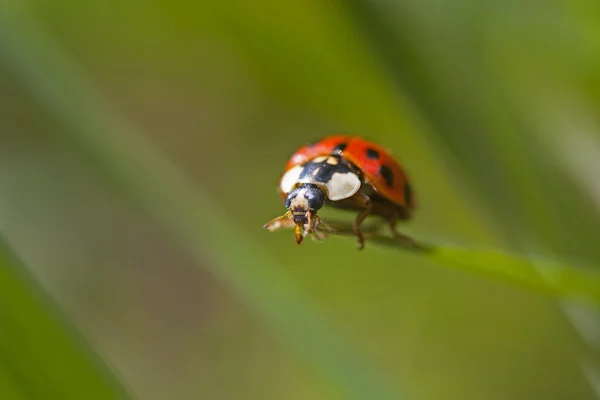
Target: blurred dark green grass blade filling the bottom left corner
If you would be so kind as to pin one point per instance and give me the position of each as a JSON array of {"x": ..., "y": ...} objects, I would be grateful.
[{"x": 41, "y": 356}]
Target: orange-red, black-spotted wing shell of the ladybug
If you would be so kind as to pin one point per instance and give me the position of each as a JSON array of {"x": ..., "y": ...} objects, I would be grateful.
[{"x": 382, "y": 172}]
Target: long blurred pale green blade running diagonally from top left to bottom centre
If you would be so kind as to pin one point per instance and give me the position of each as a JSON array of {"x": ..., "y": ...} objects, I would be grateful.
[{"x": 158, "y": 187}]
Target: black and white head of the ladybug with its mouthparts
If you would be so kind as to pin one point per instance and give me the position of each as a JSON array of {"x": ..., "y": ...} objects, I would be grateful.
[{"x": 303, "y": 203}]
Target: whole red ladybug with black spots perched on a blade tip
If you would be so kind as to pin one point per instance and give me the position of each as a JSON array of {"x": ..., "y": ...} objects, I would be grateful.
[{"x": 346, "y": 172}]
